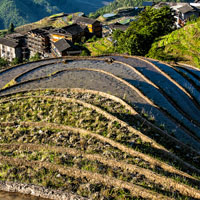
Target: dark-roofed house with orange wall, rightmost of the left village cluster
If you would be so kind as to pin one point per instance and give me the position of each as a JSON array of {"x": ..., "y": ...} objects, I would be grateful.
[{"x": 91, "y": 26}]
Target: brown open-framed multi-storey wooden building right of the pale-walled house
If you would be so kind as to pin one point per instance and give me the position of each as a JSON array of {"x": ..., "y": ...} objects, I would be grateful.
[{"x": 38, "y": 42}]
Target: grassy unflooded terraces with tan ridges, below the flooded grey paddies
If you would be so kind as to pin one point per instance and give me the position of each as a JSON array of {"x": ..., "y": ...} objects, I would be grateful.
[{"x": 52, "y": 138}]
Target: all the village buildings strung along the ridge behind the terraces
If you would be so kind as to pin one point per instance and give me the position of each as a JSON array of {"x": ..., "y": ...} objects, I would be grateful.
[{"x": 57, "y": 42}]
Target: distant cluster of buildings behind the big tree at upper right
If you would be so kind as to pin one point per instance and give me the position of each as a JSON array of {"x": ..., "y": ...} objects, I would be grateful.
[{"x": 182, "y": 12}]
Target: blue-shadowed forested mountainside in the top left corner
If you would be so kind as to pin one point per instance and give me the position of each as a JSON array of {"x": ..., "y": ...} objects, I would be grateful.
[{"x": 25, "y": 11}]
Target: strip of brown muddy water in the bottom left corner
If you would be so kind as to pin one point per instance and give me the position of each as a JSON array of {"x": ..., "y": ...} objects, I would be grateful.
[{"x": 17, "y": 196}]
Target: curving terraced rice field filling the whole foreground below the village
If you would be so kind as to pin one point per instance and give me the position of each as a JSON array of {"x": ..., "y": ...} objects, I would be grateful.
[{"x": 97, "y": 128}]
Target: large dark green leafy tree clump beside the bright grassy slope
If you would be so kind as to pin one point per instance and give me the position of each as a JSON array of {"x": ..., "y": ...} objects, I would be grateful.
[{"x": 151, "y": 23}]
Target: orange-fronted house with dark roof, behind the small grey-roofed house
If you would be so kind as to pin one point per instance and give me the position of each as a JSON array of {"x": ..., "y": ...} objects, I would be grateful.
[{"x": 73, "y": 32}]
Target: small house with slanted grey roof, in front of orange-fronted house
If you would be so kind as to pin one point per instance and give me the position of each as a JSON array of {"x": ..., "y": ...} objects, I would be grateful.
[{"x": 64, "y": 47}]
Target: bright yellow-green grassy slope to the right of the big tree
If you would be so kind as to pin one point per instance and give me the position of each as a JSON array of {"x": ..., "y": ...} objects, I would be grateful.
[{"x": 180, "y": 45}]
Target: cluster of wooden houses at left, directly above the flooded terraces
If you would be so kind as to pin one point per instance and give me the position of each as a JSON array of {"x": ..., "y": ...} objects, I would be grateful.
[{"x": 49, "y": 41}]
